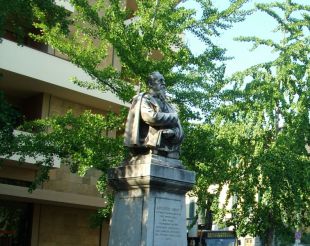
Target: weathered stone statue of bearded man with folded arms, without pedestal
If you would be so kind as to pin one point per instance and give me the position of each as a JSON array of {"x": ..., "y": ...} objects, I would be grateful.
[{"x": 152, "y": 124}]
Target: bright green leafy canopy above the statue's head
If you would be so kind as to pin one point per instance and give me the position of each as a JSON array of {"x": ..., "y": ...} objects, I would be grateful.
[{"x": 145, "y": 40}]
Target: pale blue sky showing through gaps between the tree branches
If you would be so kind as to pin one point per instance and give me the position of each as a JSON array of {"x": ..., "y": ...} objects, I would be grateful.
[{"x": 258, "y": 24}]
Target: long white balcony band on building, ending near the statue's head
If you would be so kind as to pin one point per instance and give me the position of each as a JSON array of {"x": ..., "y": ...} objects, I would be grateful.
[{"x": 33, "y": 71}]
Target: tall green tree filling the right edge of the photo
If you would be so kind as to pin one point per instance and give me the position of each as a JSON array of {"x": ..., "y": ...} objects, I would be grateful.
[{"x": 264, "y": 117}]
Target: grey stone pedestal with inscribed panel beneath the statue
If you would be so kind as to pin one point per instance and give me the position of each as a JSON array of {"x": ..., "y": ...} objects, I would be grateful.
[{"x": 149, "y": 208}]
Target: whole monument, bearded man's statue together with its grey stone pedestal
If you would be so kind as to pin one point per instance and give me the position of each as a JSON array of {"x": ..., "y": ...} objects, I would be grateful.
[{"x": 149, "y": 207}]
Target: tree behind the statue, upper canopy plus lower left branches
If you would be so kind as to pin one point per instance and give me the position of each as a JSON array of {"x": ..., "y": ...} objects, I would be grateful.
[{"x": 152, "y": 41}]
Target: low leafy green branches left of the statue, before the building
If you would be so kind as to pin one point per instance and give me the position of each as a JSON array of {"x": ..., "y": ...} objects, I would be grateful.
[{"x": 82, "y": 142}]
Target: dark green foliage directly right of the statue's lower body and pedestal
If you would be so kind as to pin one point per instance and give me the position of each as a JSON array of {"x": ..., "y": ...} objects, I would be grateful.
[{"x": 205, "y": 152}]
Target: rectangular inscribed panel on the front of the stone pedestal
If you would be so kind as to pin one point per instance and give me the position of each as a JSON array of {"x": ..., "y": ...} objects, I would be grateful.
[{"x": 168, "y": 224}]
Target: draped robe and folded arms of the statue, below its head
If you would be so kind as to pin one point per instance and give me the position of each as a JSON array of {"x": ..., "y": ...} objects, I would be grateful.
[{"x": 148, "y": 119}]
